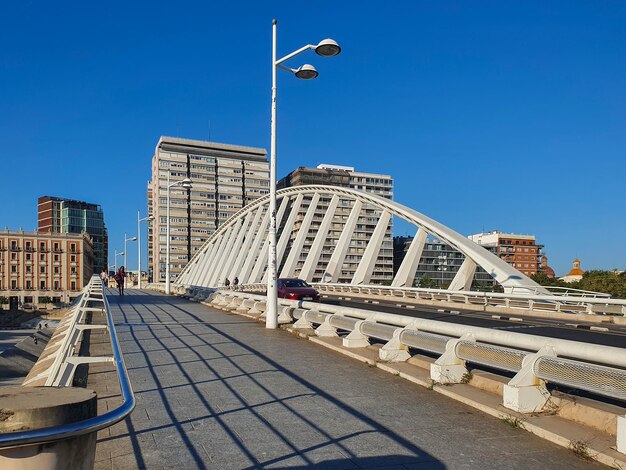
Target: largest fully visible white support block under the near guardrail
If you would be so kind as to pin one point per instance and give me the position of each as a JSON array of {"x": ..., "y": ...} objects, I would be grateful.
[{"x": 527, "y": 393}]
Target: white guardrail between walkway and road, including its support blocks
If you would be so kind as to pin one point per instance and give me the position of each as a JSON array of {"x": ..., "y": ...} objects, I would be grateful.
[{"x": 535, "y": 360}]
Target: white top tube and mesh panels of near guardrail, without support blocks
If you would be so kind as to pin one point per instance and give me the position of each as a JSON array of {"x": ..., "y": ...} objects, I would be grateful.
[{"x": 584, "y": 366}]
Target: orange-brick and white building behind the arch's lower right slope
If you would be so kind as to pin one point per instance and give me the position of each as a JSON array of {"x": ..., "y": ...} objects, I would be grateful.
[{"x": 520, "y": 251}]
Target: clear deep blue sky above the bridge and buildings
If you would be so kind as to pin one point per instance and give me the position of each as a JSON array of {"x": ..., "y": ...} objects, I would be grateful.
[{"x": 494, "y": 115}]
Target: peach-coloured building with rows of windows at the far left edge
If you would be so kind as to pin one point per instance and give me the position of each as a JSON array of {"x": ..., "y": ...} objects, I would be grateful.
[{"x": 44, "y": 264}]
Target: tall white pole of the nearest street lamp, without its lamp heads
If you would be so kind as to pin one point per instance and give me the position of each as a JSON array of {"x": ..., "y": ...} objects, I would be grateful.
[{"x": 271, "y": 318}]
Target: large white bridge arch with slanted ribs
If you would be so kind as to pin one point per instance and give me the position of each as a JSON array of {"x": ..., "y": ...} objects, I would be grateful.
[{"x": 239, "y": 248}]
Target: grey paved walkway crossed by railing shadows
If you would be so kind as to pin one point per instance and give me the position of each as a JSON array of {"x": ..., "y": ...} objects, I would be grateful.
[{"x": 216, "y": 390}]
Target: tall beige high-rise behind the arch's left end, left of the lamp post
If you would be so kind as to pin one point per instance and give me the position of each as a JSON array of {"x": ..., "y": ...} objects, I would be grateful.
[{"x": 225, "y": 178}]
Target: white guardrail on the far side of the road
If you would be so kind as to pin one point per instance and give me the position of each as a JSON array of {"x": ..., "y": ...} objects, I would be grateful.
[{"x": 568, "y": 302}]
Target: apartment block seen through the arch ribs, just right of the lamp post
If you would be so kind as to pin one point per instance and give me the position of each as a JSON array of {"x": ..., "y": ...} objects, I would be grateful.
[{"x": 346, "y": 177}]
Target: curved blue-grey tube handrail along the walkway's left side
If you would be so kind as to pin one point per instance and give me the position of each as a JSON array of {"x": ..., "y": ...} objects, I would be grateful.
[{"x": 90, "y": 425}]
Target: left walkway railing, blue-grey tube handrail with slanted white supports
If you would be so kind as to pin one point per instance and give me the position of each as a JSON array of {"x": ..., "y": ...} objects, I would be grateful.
[{"x": 61, "y": 372}]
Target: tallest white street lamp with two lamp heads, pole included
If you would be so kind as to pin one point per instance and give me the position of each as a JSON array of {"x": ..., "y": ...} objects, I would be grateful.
[{"x": 326, "y": 48}]
